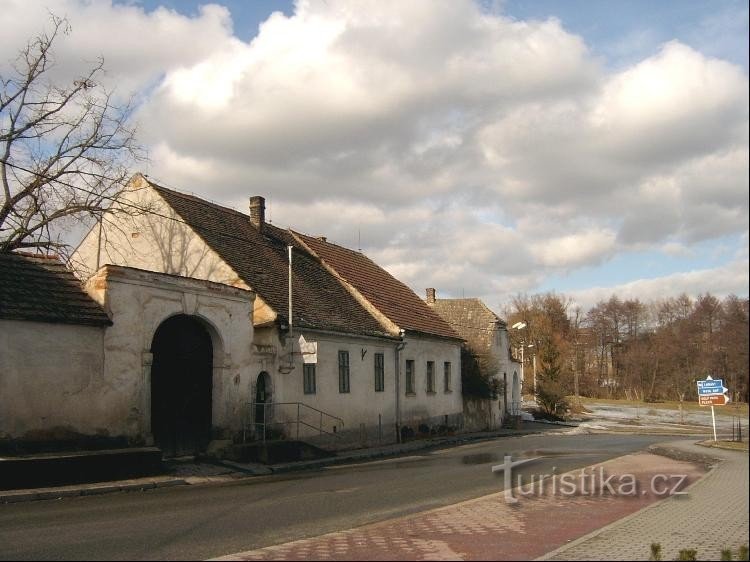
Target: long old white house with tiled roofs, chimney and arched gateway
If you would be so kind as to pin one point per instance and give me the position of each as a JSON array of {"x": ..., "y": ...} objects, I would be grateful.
[{"x": 183, "y": 275}]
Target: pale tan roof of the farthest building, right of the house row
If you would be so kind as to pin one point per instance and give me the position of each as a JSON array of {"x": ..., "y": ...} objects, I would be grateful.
[{"x": 470, "y": 318}]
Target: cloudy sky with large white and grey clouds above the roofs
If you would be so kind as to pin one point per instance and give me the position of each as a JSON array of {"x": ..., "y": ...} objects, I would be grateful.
[{"x": 484, "y": 148}]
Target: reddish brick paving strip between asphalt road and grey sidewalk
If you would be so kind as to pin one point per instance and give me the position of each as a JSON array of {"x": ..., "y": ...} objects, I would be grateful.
[{"x": 490, "y": 528}]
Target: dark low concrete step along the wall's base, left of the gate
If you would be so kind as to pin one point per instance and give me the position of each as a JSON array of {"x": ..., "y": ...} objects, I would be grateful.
[{"x": 78, "y": 467}]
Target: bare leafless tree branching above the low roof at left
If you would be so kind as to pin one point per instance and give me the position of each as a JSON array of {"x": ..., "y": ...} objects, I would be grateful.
[{"x": 65, "y": 147}]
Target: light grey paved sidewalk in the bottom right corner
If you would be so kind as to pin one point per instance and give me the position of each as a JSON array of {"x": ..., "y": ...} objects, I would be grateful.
[{"x": 713, "y": 516}]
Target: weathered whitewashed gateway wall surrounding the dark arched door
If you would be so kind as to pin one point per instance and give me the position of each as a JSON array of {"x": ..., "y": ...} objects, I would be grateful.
[{"x": 139, "y": 301}]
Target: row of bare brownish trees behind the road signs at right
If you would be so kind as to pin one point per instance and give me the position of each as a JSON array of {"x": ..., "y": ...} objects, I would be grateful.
[{"x": 646, "y": 351}]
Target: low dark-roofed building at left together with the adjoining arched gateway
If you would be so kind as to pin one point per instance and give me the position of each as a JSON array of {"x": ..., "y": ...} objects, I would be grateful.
[{"x": 70, "y": 374}]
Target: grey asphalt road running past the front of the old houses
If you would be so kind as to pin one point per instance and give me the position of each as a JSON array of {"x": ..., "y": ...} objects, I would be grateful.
[{"x": 199, "y": 522}]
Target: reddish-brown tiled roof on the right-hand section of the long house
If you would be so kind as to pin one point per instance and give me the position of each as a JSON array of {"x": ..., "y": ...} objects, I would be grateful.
[{"x": 386, "y": 293}]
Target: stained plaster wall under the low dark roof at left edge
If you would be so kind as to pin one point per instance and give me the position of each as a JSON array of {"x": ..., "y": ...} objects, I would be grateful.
[{"x": 52, "y": 384}]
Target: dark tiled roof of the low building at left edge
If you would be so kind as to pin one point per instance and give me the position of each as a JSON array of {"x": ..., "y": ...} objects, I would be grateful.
[{"x": 42, "y": 289}]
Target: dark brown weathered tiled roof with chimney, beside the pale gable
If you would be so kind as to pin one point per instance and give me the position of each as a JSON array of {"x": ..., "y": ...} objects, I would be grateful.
[{"x": 261, "y": 260}]
